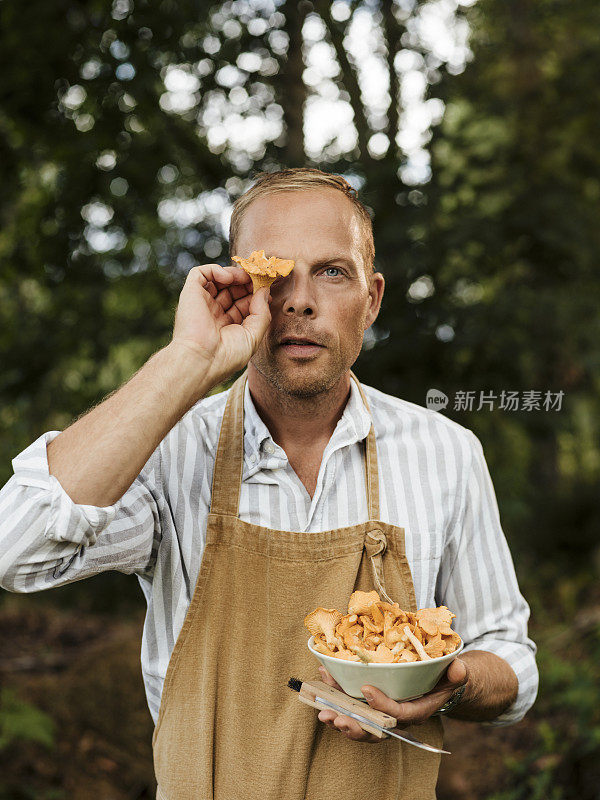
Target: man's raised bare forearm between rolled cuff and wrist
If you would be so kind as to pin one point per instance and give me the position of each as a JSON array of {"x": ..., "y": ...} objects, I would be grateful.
[{"x": 99, "y": 456}]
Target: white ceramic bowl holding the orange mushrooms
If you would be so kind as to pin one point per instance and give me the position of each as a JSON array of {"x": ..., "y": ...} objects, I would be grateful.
[{"x": 398, "y": 681}]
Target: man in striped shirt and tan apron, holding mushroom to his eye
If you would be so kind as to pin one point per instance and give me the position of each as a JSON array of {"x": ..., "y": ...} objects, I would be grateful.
[{"x": 241, "y": 512}]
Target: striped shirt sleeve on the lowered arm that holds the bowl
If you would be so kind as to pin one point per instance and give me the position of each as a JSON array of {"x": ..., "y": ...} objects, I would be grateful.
[{"x": 477, "y": 581}]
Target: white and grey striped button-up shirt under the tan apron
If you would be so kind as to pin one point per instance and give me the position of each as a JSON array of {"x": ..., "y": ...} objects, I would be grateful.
[{"x": 433, "y": 482}]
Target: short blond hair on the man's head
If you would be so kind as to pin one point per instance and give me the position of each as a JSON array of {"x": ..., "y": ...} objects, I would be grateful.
[{"x": 298, "y": 178}]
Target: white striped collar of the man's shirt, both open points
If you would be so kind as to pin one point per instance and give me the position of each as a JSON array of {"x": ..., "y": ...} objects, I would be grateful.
[{"x": 353, "y": 426}]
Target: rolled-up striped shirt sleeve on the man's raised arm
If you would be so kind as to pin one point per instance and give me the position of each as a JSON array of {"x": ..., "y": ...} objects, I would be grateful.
[{"x": 47, "y": 540}]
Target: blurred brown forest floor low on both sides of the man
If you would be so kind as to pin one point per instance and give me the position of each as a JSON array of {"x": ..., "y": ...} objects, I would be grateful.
[{"x": 83, "y": 670}]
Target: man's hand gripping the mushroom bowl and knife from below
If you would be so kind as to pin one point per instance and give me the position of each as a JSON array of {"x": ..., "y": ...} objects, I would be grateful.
[{"x": 411, "y": 712}]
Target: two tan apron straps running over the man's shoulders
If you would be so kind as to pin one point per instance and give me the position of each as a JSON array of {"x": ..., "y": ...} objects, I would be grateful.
[{"x": 229, "y": 461}]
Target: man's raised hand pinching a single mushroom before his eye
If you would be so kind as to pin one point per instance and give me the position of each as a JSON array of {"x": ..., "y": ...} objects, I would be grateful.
[{"x": 220, "y": 319}]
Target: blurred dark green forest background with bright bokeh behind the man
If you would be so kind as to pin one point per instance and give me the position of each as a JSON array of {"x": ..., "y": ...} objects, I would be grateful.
[{"x": 127, "y": 130}]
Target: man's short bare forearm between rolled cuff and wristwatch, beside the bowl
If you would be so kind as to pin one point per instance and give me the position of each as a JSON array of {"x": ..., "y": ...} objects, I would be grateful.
[{"x": 491, "y": 687}]
